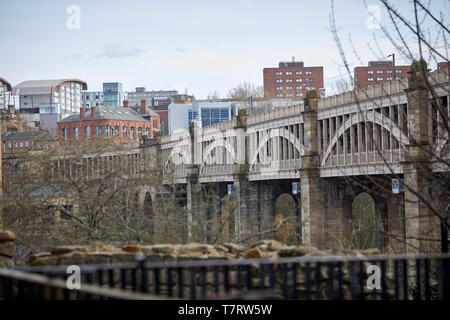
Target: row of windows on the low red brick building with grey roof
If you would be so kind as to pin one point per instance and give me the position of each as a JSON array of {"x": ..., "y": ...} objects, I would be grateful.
[{"x": 108, "y": 131}]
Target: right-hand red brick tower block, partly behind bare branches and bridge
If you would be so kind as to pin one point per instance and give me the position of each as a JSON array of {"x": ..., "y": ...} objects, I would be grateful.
[{"x": 379, "y": 72}]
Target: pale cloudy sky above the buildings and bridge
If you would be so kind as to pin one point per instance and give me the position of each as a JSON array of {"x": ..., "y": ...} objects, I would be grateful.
[{"x": 195, "y": 45}]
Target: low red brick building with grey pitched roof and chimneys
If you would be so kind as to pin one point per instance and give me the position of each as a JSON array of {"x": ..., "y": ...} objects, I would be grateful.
[{"x": 115, "y": 124}]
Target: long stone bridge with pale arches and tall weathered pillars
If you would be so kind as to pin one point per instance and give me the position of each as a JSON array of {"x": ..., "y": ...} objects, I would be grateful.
[{"x": 335, "y": 148}]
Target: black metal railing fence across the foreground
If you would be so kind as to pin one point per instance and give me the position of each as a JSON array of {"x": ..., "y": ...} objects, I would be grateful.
[{"x": 375, "y": 278}]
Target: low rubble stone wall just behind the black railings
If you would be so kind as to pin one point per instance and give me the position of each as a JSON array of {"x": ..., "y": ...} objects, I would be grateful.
[{"x": 98, "y": 254}]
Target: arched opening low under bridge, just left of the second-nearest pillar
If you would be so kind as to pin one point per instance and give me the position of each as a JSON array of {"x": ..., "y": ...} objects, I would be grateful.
[{"x": 287, "y": 206}]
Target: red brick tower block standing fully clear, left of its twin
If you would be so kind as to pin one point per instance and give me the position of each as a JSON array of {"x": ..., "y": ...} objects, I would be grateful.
[{"x": 291, "y": 80}]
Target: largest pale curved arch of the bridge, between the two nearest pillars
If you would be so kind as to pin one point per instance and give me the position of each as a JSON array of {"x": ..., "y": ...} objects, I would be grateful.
[{"x": 371, "y": 116}]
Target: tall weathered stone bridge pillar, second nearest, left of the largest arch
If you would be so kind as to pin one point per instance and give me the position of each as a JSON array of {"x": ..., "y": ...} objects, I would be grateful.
[{"x": 312, "y": 198}]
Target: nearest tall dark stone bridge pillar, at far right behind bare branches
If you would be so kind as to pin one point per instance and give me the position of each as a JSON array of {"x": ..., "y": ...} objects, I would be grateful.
[{"x": 422, "y": 225}]
